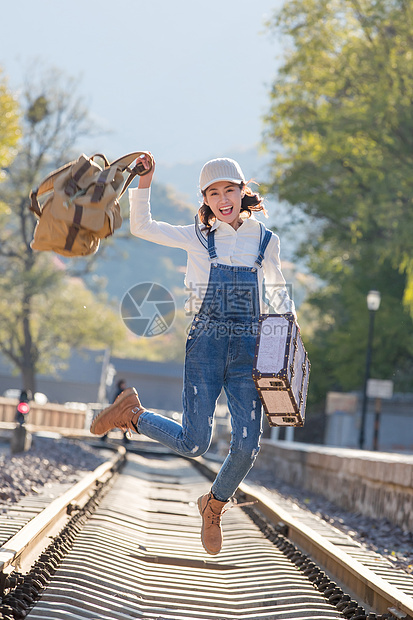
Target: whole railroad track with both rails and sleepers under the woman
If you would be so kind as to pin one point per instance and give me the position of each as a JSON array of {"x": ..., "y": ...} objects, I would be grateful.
[{"x": 131, "y": 549}]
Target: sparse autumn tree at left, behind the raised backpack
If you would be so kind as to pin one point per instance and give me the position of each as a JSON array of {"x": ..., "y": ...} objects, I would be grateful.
[{"x": 44, "y": 311}]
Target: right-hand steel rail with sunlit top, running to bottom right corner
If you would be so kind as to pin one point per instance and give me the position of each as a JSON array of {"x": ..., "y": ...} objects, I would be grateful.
[{"x": 364, "y": 583}]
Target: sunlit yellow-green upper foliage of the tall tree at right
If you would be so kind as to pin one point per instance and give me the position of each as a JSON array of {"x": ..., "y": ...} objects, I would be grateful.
[{"x": 341, "y": 111}]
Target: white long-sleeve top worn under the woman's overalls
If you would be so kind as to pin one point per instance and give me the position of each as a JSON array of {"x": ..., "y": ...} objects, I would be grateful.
[{"x": 234, "y": 247}]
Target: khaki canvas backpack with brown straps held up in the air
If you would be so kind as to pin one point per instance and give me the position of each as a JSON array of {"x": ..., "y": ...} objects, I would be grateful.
[{"x": 82, "y": 204}]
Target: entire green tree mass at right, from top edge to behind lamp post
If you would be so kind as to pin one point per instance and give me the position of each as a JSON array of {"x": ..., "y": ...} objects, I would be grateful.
[{"x": 340, "y": 127}]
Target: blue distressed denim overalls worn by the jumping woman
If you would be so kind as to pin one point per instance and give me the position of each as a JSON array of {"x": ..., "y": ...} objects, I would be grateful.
[{"x": 219, "y": 353}]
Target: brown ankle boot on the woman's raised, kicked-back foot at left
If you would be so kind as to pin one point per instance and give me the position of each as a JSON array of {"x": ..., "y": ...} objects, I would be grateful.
[{"x": 124, "y": 414}]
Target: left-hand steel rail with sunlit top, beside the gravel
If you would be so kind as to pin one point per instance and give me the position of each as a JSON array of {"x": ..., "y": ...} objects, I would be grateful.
[{"x": 35, "y": 534}]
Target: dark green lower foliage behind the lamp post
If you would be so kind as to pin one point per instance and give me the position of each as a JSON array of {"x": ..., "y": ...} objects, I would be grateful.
[{"x": 338, "y": 341}]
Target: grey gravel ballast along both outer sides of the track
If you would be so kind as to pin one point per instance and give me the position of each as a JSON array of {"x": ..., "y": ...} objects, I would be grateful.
[{"x": 65, "y": 461}]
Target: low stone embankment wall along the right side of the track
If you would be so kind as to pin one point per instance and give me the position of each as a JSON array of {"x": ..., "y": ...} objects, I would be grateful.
[{"x": 374, "y": 484}]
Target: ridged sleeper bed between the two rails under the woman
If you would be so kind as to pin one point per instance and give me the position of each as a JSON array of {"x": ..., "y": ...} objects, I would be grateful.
[{"x": 139, "y": 554}]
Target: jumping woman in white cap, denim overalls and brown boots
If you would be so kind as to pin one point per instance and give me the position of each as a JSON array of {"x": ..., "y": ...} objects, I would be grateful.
[{"x": 234, "y": 274}]
